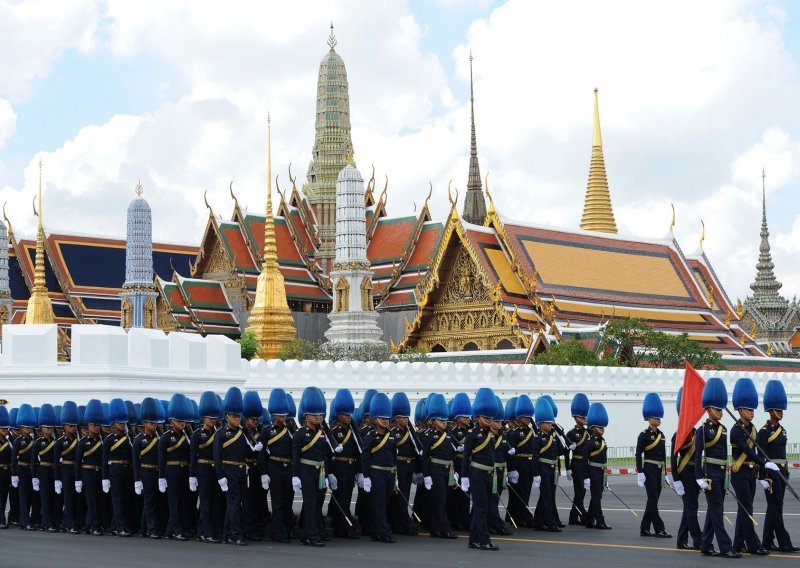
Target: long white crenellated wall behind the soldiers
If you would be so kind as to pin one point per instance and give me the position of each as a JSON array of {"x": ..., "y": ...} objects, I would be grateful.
[{"x": 108, "y": 362}]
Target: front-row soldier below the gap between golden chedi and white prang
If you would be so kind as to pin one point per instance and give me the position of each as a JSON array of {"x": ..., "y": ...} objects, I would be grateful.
[{"x": 310, "y": 460}]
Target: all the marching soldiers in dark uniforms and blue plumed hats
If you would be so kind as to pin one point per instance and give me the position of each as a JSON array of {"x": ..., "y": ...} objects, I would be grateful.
[{"x": 229, "y": 470}]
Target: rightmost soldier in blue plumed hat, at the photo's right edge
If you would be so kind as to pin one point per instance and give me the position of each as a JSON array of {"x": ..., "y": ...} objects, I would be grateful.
[{"x": 772, "y": 438}]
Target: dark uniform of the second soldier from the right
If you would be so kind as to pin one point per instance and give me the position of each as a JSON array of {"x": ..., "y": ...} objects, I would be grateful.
[{"x": 746, "y": 463}]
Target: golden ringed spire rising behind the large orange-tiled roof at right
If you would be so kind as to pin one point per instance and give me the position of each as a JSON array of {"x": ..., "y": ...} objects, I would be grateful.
[{"x": 597, "y": 212}]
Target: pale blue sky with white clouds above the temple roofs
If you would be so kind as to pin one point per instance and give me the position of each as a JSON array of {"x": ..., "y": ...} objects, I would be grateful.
[{"x": 695, "y": 98}]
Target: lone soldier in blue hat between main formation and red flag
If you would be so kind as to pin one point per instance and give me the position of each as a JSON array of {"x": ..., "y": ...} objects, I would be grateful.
[{"x": 651, "y": 456}]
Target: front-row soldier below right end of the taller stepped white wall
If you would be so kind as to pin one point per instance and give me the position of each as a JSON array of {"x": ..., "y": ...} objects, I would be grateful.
[{"x": 230, "y": 452}]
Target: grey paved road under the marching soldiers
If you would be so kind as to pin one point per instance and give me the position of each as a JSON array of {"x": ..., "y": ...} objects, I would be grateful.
[{"x": 575, "y": 547}]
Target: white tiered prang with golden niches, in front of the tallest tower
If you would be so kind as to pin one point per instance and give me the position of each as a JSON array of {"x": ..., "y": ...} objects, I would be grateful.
[{"x": 354, "y": 320}]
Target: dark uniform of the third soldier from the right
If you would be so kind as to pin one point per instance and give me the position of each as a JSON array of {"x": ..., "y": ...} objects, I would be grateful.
[{"x": 711, "y": 461}]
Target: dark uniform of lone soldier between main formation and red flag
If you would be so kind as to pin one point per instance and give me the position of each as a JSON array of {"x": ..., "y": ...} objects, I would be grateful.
[{"x": 651, "y": 457}]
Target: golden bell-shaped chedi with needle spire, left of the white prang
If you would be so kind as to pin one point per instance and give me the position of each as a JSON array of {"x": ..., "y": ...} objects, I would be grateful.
[{"x": 270, "y": 319}]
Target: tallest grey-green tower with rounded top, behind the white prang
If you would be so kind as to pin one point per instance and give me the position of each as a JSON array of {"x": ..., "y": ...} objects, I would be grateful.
[{"x": 332, "y": 146}]
